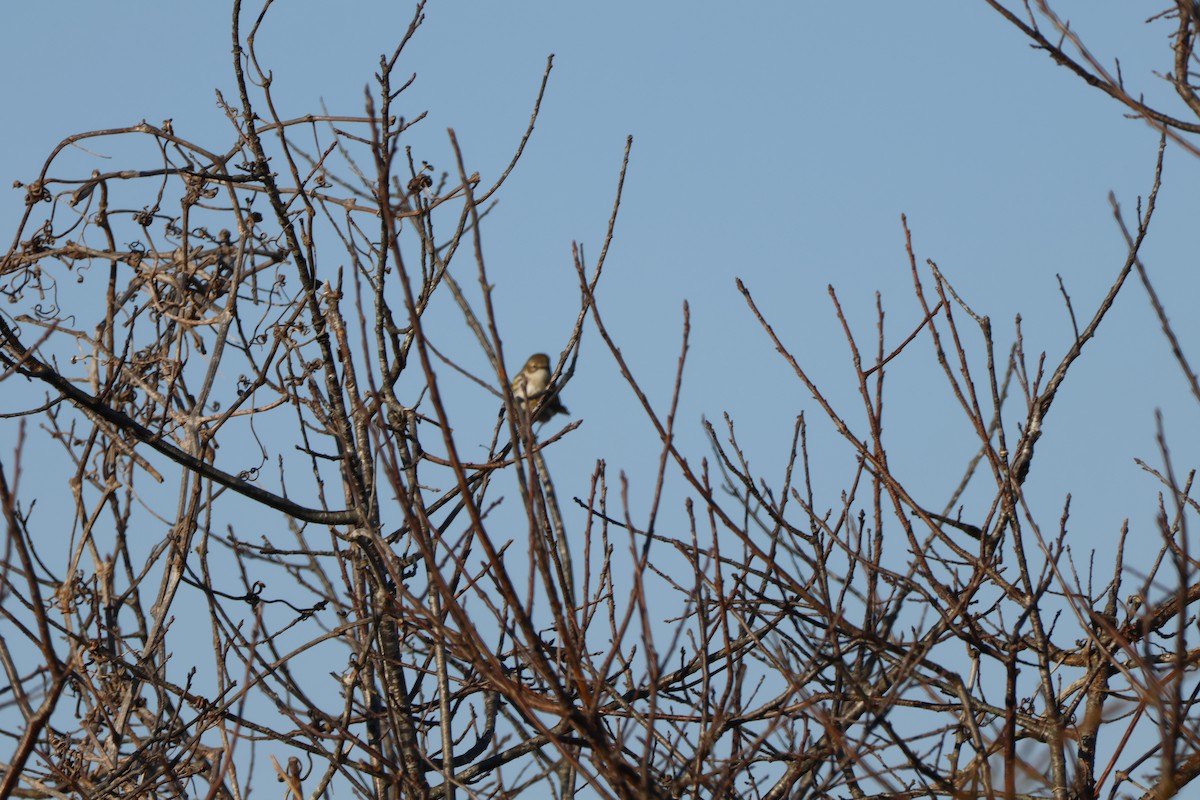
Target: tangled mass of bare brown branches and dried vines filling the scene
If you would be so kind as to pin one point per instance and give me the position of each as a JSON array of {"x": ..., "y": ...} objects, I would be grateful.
[{"x": 254, "y": 324}]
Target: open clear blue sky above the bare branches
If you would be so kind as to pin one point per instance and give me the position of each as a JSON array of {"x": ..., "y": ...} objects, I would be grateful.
[{"x": 775, "y": 142}]
